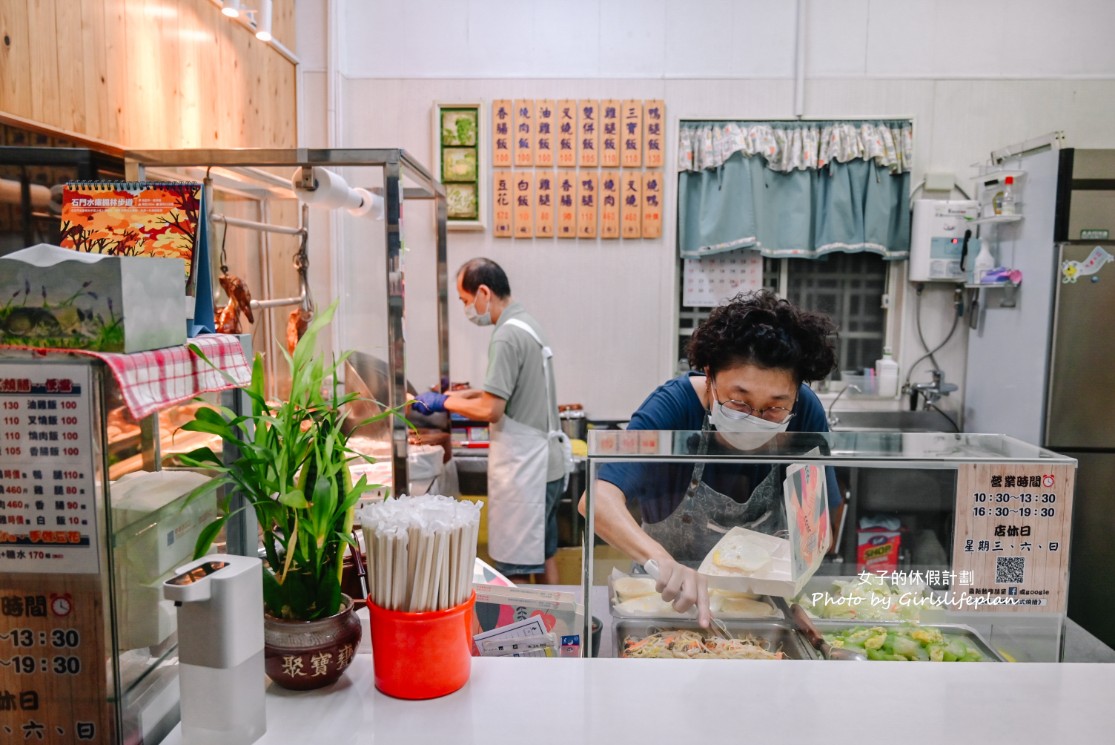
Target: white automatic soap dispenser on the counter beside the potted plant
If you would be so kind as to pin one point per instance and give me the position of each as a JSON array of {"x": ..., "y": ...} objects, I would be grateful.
[{"x": 220, "y": 601}]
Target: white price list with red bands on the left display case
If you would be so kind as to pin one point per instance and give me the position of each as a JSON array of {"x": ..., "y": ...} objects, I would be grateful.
[{"x": 47, "y": 477}]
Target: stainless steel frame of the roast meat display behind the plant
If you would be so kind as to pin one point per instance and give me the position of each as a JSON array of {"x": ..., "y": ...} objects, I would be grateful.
[{"x": 397, "y": 166}]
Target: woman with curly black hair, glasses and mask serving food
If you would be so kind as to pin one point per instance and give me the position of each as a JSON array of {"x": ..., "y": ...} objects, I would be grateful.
[{"x": 752, "y": 363}]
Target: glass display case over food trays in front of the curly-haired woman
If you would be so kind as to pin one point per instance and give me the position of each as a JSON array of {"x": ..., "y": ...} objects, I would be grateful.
[{"x": 958, "y": 535}]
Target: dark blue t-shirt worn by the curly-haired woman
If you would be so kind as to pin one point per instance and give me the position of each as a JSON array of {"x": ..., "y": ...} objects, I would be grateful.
[{"x": 660, "y": 488}]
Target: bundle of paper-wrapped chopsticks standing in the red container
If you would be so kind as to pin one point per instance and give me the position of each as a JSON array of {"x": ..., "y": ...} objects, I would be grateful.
[{"x": 421, "y": 552}]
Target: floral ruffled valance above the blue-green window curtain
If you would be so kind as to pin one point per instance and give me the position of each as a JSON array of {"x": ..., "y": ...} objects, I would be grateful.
[{"x": 788, "y": 147}]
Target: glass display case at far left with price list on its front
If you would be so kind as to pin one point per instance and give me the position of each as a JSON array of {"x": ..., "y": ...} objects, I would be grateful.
[{"x": 88, "y": 537}]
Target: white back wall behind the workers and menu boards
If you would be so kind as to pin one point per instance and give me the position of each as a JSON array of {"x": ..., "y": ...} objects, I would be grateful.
[{"x": 975, "y": 76}]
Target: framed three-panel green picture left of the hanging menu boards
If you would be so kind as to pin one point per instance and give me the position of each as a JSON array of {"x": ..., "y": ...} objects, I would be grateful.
[{"x": 460, "y": 165}]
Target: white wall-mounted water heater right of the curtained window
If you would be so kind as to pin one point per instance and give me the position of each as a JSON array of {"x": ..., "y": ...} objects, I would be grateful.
[{"x": 942, "y": 245}]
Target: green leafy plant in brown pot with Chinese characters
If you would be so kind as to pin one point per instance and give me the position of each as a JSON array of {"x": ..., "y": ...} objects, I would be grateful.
[{"x": 293, "y": 470}]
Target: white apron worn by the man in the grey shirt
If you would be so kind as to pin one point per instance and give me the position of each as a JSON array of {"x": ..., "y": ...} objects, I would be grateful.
[{"x": 518, "y": 460}]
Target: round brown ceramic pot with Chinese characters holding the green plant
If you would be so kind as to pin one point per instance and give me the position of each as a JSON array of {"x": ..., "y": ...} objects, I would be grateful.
[{"x": 305, "y": 655}]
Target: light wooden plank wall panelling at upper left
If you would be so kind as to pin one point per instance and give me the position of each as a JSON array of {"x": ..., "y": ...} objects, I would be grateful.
[{"x": 148, "y": 74}]
